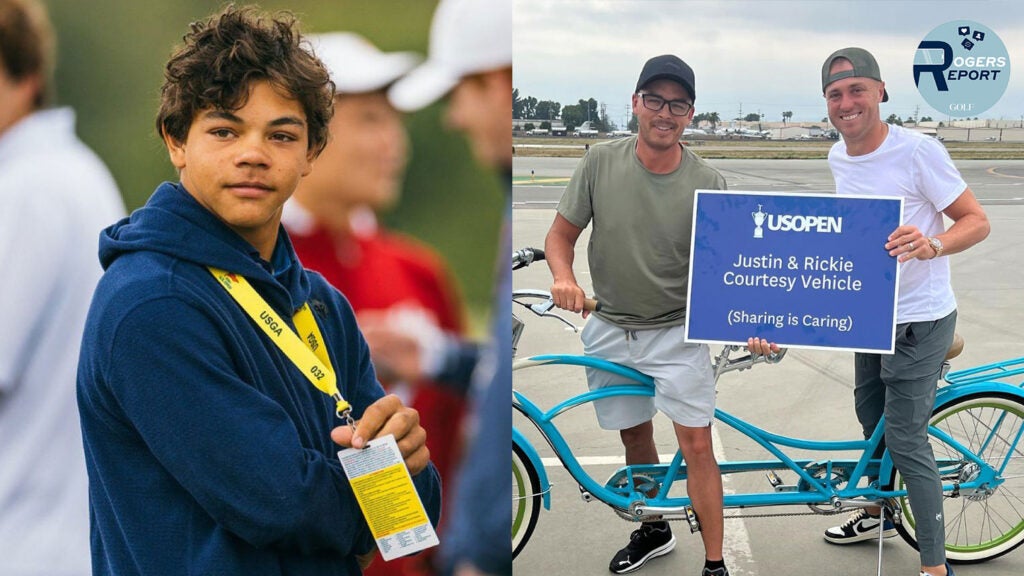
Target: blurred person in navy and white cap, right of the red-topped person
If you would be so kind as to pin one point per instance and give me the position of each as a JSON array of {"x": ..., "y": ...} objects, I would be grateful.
[{"x": 472, "y": 59}]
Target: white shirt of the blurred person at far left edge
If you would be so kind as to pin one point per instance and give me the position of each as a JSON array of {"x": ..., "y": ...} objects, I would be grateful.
[{"x": 56, "y": 197}]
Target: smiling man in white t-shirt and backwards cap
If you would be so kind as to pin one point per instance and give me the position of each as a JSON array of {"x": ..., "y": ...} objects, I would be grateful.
[{"x": 875, "y": 158}]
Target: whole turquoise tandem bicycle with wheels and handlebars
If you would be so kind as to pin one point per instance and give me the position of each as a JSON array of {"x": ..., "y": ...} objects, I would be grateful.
[{"x": 976, "y": 431}]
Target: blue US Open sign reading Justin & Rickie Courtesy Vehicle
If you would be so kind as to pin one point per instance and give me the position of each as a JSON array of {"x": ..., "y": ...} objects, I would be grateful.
[{"x": 806, "y": 271}]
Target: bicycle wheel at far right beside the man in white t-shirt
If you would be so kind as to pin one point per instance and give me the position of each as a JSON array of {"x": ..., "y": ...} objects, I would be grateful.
[{"x": 984, "y": 524}]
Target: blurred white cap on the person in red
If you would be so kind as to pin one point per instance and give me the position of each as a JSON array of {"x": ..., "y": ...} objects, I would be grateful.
[{"x": 357, "y": 66}]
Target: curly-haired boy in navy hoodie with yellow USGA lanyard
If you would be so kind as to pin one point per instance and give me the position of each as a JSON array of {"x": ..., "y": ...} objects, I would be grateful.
[{"x": 209, "y": 451}]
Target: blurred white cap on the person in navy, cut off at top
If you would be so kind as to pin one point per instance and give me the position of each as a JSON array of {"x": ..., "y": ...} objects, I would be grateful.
[{"x": 466, "y": 37}]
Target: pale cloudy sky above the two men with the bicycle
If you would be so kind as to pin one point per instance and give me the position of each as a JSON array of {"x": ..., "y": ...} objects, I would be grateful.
[{"x": 747, "y": 55}]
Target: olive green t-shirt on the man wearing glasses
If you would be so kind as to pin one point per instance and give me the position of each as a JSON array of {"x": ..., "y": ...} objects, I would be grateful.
[{"x": 639, "y": 248}]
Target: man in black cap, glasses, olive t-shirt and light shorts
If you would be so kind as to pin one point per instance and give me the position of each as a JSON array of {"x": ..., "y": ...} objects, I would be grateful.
[{"x": 638, "y": 193}]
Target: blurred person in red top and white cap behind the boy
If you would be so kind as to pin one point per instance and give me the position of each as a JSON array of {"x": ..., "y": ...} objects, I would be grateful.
[{"x": 407, "y": 304}]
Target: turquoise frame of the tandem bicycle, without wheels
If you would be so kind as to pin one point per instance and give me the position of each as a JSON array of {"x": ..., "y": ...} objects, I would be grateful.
[{"x": 809, "y": 490}]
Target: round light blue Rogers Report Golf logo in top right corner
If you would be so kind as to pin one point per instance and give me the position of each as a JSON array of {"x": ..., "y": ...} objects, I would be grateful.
[{"x": 962, "y": 69}]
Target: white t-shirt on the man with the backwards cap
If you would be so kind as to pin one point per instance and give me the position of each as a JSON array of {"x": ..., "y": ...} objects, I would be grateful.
[{"x": 919, "y": 169}]
